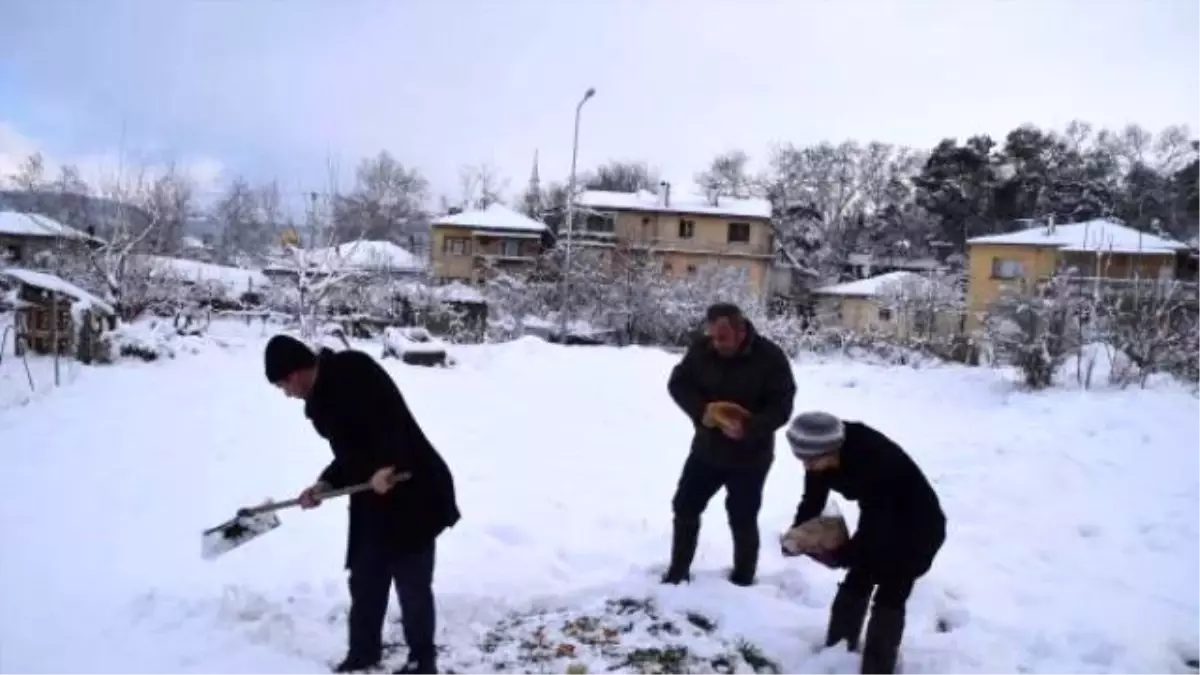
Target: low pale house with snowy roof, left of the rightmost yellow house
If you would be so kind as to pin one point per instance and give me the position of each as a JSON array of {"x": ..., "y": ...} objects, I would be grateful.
[{"x": 902, "y": 304}]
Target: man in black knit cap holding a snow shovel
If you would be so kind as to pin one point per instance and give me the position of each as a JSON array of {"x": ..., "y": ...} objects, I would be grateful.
[{"x": 355, "y": 404}]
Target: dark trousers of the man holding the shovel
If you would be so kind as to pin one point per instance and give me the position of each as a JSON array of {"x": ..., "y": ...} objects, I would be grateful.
[{"x": 374, "y": 571}]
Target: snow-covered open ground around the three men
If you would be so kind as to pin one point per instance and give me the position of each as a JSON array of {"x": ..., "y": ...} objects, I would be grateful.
[{"x": 1075, "y": 540}]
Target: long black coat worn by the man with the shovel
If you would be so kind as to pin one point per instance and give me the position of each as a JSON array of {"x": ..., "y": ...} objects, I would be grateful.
[{"x": 357, "y": 408}]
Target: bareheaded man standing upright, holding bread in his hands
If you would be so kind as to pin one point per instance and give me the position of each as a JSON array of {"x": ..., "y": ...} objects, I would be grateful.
[{"x": 737, "y": 390}]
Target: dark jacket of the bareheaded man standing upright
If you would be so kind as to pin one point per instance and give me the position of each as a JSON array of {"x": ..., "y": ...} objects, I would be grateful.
[{"x": 759, "y": 379}]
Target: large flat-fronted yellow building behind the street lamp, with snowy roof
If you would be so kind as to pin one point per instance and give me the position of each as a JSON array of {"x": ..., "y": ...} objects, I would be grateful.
[{"x": 686, "y": 232}]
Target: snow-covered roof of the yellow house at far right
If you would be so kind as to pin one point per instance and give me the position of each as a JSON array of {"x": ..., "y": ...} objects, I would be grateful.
[{"x": 1095, "y": 236}]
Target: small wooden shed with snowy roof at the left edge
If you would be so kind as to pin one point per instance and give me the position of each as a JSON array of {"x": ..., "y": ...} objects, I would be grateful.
[{"x": 56, "y": 316}]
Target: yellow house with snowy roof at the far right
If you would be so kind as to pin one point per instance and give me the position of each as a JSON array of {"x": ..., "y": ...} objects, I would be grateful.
[{"x": 1100, "y": 252}]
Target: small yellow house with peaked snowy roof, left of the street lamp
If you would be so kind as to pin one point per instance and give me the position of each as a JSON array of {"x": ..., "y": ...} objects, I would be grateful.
[{"x": 469, "y": 246}]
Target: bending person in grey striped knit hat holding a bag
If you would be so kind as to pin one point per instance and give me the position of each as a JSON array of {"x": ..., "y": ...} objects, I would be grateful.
[{"x": 901, "y": 529}]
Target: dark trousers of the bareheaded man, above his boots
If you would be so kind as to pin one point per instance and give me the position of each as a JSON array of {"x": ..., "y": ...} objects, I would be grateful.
[{"x": 701, "y": 481}]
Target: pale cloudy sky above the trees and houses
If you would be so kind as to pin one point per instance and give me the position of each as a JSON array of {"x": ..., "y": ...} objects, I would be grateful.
[{"x": 272, "y": 88}]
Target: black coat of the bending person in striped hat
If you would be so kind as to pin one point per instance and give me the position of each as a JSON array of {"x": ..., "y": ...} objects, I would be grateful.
[{"x": 901, "y": 525}]
